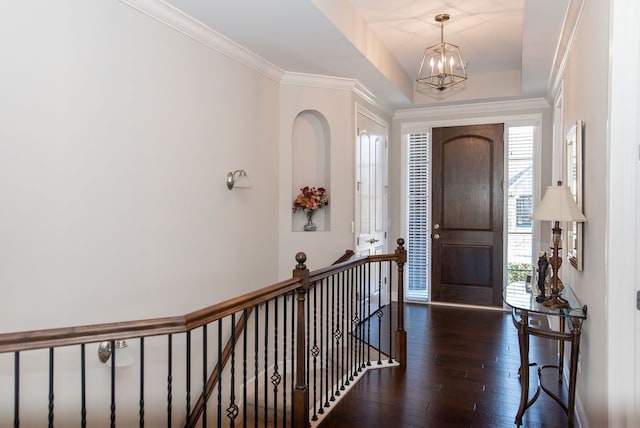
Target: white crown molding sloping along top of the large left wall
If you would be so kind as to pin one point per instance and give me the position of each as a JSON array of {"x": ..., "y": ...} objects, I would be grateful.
[{"x": 185, "y": 24}]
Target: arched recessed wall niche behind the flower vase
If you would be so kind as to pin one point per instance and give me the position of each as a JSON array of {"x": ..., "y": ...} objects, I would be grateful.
[{"x": 311, "y": 144}]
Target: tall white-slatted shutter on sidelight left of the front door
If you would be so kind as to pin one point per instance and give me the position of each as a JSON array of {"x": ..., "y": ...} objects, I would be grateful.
[{"x": 419, "y": 210}]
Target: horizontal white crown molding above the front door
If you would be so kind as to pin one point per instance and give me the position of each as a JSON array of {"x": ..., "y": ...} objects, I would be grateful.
[{"x": 486, "y": 108}]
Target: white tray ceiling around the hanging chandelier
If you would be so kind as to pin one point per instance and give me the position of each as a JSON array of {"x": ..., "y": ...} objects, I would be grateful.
[{"x": 505, "y": 43}]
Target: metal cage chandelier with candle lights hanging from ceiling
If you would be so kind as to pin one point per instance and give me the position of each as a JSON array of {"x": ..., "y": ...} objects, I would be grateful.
[{"x": 442, "y": 66}]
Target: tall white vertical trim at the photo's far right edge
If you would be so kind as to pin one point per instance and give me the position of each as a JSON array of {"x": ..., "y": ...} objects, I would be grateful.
[{"x": 622, "y": 213}]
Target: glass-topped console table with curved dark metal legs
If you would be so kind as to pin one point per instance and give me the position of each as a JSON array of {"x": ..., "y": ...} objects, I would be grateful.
[{"x": 523, "y": 303}]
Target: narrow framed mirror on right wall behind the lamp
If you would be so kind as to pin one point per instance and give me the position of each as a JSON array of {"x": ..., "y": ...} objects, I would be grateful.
[{"x": 574, "y": 180}]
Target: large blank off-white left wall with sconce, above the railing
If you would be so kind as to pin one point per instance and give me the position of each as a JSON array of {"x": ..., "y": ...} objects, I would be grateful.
[{"x": 116, "y": 135}]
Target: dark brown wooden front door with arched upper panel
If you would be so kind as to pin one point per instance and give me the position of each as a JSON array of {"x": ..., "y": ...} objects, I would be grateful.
[{"x": 467, "y": 214}]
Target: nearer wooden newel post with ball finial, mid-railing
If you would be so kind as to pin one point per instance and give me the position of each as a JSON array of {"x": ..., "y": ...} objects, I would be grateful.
[{"x": 301, "y": 391}]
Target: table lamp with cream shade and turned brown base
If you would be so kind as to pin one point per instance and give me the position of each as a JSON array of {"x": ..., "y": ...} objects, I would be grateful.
[{"x": 557, "y": 205}]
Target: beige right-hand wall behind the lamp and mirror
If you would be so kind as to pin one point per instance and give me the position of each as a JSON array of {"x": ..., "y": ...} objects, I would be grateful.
[{"x": 584, "y": 98}]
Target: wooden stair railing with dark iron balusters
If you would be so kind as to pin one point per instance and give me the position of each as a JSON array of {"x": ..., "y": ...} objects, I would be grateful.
[{"x": 267, "y": 375}]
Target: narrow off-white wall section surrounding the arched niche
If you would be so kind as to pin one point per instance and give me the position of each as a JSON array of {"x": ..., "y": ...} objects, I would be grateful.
[{"x": 333, "y": 99}]
